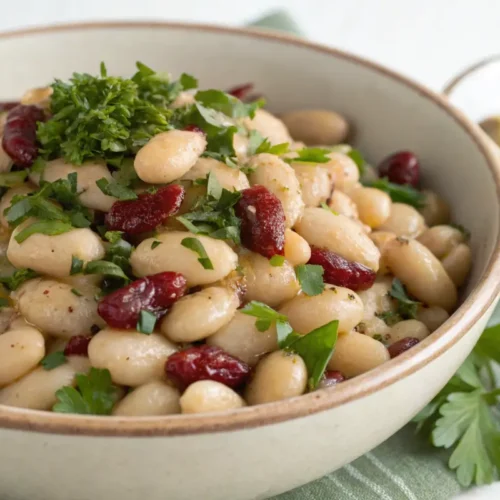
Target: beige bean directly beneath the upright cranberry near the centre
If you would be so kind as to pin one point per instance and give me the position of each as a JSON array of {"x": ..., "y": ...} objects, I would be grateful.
[{"x": 266, "y": 283}]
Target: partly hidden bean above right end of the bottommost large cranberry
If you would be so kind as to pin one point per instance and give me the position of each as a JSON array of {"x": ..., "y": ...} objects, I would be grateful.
[{"x": 241, "y": 338}]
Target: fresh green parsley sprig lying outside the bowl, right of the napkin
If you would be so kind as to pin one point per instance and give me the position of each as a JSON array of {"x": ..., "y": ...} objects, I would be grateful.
[{"x": 464, "y": 416}]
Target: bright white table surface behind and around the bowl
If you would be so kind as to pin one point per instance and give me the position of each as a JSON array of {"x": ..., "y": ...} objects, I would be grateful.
[{"x": 428, "y": 40}]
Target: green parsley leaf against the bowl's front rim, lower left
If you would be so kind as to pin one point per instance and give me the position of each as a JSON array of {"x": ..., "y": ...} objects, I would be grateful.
[{"x": 94, "y": 394}]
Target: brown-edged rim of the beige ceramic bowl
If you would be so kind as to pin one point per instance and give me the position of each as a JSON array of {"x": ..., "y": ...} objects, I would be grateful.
[{"x": 474, "y": 306}]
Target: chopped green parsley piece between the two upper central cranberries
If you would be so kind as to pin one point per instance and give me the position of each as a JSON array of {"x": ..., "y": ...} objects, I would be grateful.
[{"x": 213, "y": 215}]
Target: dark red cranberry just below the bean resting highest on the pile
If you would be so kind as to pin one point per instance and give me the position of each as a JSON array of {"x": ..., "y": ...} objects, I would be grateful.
[{"x": 145, "y": 213}]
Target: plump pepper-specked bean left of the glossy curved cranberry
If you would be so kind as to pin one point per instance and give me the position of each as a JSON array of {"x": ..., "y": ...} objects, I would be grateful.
[{"x": 53, "y": 308}]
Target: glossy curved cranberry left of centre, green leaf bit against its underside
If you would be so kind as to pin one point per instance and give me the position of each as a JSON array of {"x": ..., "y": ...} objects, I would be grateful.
[{"x": 155, "y": 293}]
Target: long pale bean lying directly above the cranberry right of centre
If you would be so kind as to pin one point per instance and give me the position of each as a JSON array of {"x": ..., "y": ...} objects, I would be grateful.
[{"x": 339, "y": 234}]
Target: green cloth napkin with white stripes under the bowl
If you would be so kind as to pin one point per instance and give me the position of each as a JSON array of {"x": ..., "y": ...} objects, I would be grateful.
[{"x": 405, "y": 467}]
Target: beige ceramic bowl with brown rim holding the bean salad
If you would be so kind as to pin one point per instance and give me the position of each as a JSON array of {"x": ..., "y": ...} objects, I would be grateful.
[{"x": 264, "y": 450}]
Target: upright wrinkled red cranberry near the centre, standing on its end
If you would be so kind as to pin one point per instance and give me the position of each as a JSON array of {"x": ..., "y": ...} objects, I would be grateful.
[{"x": 262, "y": 221}]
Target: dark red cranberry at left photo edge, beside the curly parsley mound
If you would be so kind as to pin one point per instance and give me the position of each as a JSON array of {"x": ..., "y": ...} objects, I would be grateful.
[{"x": 19, "y": 134}]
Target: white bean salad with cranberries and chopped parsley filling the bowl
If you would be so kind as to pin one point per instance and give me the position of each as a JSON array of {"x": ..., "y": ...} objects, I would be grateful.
[{"x": 166, "y": 249}]
